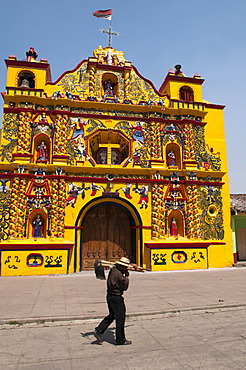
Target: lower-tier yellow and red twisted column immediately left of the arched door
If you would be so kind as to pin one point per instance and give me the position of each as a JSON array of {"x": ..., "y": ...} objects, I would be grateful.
[{"x": 58, "y": 208}]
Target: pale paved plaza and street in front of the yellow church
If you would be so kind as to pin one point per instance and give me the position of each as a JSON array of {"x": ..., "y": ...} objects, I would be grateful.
[{"x": 176, "y": 320}]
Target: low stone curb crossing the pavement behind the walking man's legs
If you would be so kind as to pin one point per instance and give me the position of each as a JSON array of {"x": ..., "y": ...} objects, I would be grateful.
[{"x": 74, "y": 320}]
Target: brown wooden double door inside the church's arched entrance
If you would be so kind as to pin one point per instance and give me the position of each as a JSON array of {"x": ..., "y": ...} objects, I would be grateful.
[{"x": 107, "y": 235}]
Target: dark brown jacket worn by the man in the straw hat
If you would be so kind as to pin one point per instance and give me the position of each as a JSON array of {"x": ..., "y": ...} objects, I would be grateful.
[{"x": 116, "y": 283}]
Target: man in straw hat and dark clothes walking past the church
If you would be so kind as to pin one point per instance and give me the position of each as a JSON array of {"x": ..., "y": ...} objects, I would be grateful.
[{"x": 117, "y": 283}]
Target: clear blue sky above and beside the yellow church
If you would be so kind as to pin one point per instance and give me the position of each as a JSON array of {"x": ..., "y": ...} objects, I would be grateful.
[{"x": 205, "y": 37}]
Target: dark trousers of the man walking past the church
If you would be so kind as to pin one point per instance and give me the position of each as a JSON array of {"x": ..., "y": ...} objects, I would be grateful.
[{"x": 117, "y": 311}]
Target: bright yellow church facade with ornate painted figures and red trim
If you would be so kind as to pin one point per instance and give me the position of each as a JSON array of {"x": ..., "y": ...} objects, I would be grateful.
[{"x": 100, "y": 164}]
